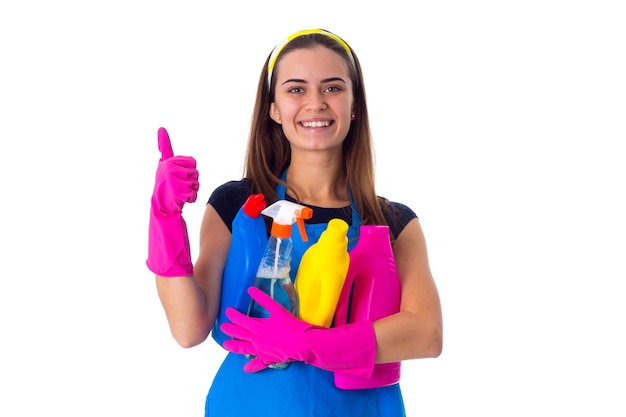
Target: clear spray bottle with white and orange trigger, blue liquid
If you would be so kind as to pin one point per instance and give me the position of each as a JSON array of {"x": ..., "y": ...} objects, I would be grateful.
[{"x": 273, "y": 272}]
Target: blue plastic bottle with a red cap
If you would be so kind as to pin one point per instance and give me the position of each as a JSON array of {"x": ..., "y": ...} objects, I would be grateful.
[{"x": 249, "y": 238}]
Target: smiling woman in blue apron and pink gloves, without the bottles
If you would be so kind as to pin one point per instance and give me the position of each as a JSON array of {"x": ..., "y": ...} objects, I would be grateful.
[{"x": 310, "y": 142}]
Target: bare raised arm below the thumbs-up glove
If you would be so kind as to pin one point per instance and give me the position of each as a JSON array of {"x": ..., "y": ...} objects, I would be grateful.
[{"x": 191, "y": 303}]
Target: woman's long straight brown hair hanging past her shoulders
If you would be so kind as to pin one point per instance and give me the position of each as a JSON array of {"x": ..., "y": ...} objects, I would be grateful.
[{"x": 269, "y": 152}]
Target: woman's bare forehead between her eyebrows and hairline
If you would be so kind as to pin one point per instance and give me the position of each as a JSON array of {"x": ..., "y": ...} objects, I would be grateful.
[{"x": 311, "y": 63}]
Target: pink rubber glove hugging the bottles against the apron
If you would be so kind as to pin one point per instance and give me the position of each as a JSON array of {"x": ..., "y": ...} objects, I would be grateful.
[{"x": 349, "y": 349}]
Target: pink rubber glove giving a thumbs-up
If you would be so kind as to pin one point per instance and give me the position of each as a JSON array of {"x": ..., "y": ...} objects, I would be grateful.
[{"x": 176, "y": 183}]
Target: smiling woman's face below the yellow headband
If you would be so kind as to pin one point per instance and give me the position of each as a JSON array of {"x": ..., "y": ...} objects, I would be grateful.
[{"x": 313, "y": 99}]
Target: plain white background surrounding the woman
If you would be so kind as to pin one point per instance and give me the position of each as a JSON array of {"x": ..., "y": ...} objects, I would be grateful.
[{"x": 502, "y": 124}]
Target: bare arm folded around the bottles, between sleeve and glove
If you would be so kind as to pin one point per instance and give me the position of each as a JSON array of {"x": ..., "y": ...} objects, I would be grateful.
[{"x": 417, "y": 330}]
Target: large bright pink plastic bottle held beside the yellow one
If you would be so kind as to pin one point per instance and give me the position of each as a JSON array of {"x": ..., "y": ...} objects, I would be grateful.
[{"x": 371, "y": 292}]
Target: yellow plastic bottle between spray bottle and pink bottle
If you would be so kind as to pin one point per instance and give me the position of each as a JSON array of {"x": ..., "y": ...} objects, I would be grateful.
[{"x": 322, "y": 273}]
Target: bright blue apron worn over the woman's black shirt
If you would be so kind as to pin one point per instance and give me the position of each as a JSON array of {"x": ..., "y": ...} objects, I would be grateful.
[{"x": 299, "y": 390}]
